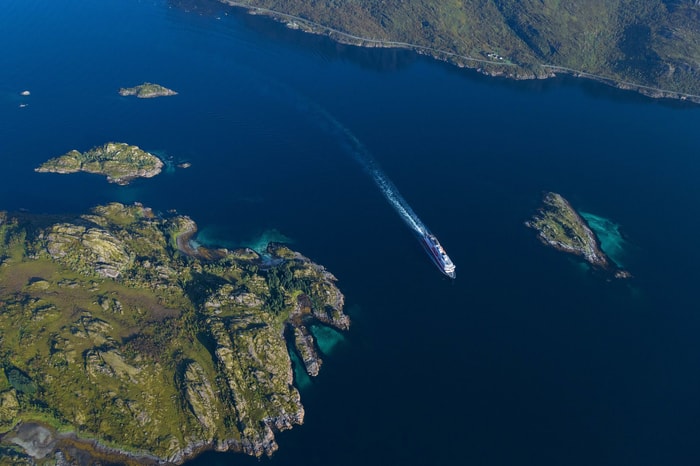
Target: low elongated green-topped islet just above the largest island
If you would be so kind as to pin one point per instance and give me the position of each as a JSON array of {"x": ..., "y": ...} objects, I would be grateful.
[{"x": 118, "y": 161}]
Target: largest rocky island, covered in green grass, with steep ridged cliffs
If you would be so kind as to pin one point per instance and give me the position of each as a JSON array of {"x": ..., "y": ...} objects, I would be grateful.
[{"x": 123, "y": 343}]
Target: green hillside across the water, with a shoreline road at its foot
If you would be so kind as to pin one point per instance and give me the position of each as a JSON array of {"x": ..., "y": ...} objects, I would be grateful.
[{"x": 654, "y": 43}]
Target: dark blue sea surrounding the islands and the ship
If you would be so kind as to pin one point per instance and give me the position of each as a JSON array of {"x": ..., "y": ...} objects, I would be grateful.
[{"x": 527, "y": 358}]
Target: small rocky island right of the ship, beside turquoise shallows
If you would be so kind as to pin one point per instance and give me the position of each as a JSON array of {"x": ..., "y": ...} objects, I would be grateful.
[{"x": 561, "y": 227}]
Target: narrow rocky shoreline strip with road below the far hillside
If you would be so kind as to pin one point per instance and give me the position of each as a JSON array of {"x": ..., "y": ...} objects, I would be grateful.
[{"x": 491, "y": 68}]
